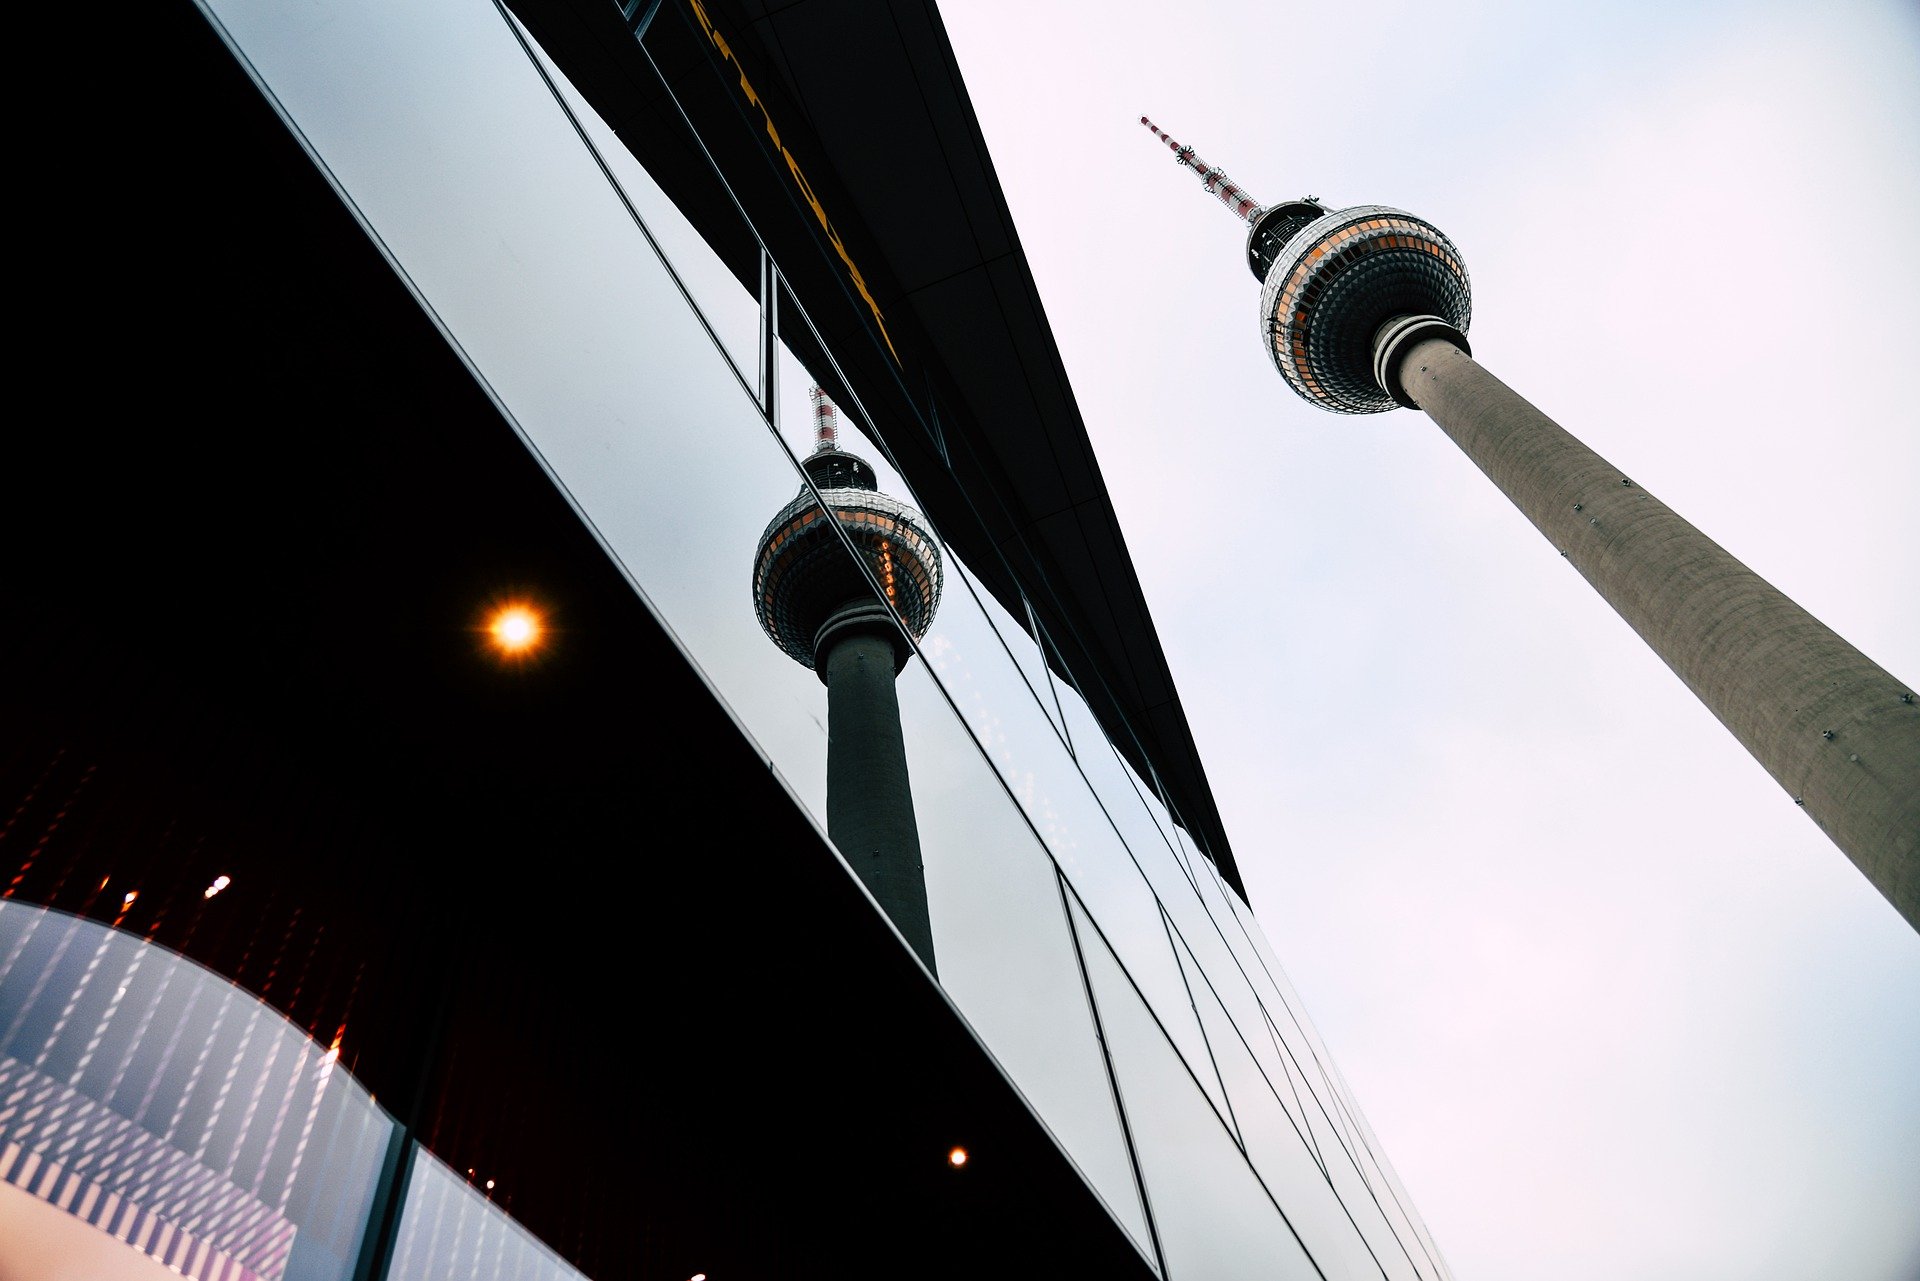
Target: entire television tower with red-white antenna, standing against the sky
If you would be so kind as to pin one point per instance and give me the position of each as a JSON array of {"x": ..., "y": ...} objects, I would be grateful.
[{"x": 1366, "y": 308}]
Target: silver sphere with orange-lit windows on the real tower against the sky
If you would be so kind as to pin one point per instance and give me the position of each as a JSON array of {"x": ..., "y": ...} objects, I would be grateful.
[{"x": 1337, "y": 281}]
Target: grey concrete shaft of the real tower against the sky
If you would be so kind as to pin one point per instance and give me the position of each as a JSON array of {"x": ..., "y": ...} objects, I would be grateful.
[{"x": 1831, "y": 725}]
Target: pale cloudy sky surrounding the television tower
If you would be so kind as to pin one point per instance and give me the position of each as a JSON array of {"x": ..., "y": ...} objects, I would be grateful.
[{"x": 1608, "y": 998}]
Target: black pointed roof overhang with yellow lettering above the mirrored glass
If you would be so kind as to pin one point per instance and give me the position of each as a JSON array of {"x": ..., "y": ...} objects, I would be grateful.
[{"x": 859, "y": 151}]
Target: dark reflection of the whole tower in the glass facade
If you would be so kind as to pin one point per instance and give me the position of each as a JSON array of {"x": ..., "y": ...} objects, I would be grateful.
[{"x": 821, "y": 608}]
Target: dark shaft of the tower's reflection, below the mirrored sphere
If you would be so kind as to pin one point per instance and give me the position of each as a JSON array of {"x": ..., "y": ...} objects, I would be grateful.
[{"x": 871, "y": 804}]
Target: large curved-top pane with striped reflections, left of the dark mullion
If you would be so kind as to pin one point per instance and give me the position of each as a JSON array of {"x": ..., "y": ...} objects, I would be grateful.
[{"x": 155, "y": 1103}]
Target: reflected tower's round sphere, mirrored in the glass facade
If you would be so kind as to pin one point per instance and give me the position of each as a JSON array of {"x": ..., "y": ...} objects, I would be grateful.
[{"x": 804, "y": 571}]
